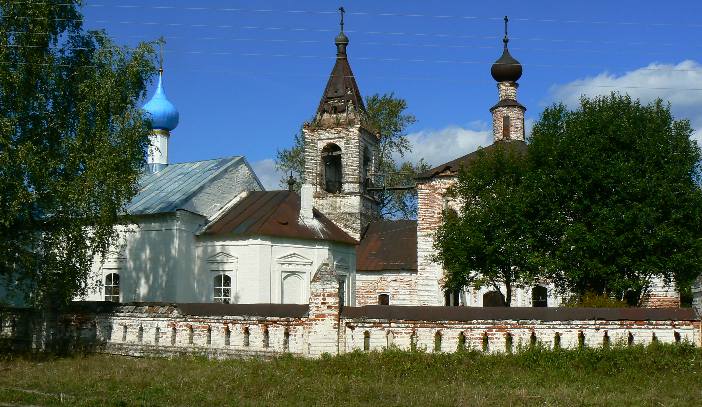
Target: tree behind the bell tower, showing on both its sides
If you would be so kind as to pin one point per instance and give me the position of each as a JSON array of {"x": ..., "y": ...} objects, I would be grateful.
[{"x": 387, "y": 115}]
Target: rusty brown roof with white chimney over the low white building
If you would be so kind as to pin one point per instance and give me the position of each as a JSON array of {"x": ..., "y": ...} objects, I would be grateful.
[{"x": 275, "y": 213}]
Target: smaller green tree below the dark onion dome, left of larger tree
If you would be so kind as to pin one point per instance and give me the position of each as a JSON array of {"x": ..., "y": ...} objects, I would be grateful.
[{"x": 488, "y": 242}]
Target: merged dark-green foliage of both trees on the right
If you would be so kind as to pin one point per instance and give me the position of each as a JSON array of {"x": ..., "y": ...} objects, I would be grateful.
[{"x": 606, "y": 200}]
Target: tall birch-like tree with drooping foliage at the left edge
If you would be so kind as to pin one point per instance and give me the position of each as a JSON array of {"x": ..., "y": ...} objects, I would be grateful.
[{"x": 72, "y": 143}]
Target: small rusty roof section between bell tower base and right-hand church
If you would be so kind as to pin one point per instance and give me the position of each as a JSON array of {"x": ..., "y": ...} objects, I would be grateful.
[{"x": 388, "y": 245}]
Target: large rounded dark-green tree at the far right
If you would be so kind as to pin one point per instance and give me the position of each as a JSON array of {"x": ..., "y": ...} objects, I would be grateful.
[{"x": 615, "y": 183}]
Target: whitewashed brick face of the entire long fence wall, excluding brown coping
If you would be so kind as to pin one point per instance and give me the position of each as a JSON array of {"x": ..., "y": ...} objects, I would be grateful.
[{"x": 160, "y": 330}]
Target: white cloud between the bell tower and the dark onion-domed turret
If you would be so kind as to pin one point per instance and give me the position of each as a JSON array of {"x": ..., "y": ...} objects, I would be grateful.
[{"x": 443, "y": 145}]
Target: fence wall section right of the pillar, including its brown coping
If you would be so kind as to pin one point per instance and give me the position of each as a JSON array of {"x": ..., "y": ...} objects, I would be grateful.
[{"x": 448, "y": 329}]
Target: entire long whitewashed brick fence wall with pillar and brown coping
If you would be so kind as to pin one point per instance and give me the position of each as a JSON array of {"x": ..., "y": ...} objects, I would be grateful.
[{"x": 265, "y": 330}]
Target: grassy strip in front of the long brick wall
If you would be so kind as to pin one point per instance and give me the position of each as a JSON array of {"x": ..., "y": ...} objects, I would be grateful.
[{"x": 657, "y": 375}]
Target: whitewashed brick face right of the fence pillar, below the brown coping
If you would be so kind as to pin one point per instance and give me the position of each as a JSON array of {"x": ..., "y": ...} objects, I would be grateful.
[{"x": 492, "y": 335}]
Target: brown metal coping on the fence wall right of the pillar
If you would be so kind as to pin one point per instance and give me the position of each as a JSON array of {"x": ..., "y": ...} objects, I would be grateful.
[{"x": 462, "y": 314}]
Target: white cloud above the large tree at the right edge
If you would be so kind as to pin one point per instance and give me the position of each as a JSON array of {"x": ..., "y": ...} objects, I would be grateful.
[{"x": 680, "y": 84}]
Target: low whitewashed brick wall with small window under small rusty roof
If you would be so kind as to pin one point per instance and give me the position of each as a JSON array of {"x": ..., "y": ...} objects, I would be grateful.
[{"x": 400, "y": 285}]
